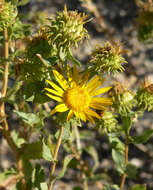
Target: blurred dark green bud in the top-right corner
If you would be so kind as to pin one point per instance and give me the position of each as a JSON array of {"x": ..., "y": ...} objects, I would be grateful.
[{"x": 145, "y": 23}]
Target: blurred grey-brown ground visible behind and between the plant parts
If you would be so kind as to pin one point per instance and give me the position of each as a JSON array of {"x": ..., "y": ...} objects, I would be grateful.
[{"x": 109, "y": 20}]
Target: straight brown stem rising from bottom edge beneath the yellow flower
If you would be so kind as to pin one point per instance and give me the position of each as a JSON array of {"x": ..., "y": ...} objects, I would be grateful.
[{"x": 55, "y": 158}]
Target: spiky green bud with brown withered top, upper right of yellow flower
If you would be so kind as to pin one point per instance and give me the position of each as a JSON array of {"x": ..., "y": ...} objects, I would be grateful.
[{"x": 107, "y": 59}]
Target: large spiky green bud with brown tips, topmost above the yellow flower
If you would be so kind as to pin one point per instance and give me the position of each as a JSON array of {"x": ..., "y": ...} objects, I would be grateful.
[{"x": 67, "y": 29}]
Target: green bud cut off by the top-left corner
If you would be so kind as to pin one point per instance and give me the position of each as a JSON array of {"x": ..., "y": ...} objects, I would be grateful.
[{"x": 8, "y": 13}]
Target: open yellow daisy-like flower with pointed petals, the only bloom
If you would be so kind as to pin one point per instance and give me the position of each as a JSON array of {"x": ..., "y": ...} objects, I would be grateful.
[{"x": 78, "y": 96}]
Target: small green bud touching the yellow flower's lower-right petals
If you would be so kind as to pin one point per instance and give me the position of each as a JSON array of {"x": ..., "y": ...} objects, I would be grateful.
[{"x": 107, "y": 123}]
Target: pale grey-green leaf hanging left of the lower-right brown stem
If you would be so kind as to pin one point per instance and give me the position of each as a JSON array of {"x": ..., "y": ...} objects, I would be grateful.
[{"x": 118, "y": 158}]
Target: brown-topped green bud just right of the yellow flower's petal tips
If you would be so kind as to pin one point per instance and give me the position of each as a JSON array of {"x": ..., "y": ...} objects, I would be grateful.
[{"x": 123, "y": 99}]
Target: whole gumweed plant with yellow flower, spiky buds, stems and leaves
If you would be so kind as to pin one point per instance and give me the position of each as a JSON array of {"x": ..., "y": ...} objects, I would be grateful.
[{"x": 43, "y": 80}]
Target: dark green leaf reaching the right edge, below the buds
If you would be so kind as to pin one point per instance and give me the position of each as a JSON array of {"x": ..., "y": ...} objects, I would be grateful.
[{"x": 142, "y": 138}]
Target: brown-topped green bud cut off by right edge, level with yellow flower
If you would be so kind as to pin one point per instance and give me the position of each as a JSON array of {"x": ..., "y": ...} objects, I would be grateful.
[{"x": 144, "y": 96}]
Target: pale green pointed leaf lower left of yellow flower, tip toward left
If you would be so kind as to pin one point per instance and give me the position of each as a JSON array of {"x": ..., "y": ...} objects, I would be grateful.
[{"x": 29, "y": 118}]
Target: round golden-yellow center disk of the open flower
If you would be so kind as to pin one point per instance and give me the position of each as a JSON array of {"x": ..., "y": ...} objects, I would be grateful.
[{"x": 77, "y": 99}]
